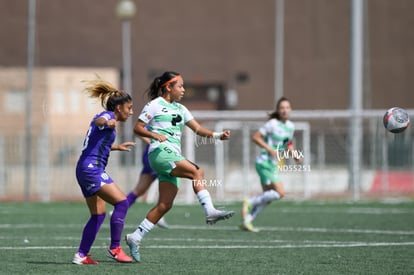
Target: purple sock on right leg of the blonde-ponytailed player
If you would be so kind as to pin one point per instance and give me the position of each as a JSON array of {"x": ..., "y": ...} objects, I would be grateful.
[{"x": 117, "y": 223}]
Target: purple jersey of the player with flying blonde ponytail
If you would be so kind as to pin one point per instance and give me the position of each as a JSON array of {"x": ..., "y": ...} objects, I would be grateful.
[{"x": 97, "y": 143}]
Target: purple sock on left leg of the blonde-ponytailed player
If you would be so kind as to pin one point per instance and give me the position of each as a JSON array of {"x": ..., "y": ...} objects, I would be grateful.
[{"x": 90, "y": 231}]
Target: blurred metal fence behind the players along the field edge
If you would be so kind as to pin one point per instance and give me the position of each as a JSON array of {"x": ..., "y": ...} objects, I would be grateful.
[{"x": 321, "y": 138}]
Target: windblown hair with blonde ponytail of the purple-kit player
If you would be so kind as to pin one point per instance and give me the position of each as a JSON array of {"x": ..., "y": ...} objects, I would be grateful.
[{"x": 109, "y": 95}]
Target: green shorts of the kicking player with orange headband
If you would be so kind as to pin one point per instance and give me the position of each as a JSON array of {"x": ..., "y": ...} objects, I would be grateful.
[{"x": 163, "y": 160}]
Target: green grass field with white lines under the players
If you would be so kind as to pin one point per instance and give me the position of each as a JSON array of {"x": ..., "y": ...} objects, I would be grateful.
[{"x": 310, "y": 237}]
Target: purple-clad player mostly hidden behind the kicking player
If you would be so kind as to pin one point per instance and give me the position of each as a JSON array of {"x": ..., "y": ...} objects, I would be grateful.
[{"x": 146, "y": 178}]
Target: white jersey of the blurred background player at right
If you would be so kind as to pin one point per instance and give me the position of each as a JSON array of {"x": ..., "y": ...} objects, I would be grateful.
[{"x": 277, "y": 135}]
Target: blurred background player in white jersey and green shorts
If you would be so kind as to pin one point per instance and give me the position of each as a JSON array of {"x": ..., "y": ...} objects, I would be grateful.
[{"x": 273, "y": 137}]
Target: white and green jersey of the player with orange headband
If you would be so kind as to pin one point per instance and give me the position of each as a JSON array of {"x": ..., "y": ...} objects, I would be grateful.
[{"x": 167, "y": 119}]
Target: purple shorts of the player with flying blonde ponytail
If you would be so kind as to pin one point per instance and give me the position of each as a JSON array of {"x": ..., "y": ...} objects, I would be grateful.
[{"x": 91, "y": 179}]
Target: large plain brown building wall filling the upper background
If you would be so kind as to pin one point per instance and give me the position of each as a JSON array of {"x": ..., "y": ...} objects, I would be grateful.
[{"x": 214, "y": 41}]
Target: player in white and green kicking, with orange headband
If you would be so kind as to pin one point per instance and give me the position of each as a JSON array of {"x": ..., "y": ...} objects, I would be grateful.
[{"x": 165, "y": 118}]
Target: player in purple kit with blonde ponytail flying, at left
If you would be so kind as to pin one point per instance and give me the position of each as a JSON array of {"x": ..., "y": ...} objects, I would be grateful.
[{"x": 97, "y": 186}]
